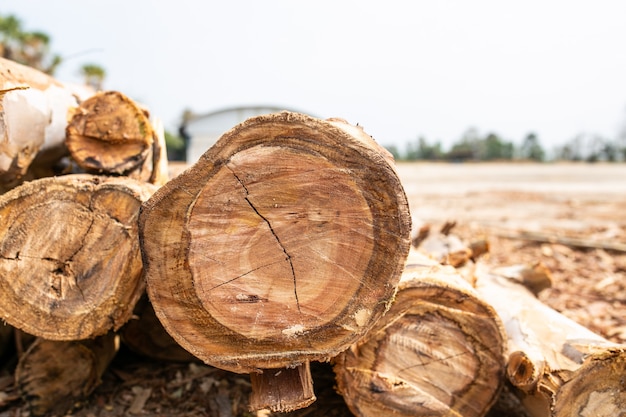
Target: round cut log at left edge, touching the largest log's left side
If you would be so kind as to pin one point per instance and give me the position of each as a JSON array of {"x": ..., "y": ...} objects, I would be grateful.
[{"x": 70, "y": 263}]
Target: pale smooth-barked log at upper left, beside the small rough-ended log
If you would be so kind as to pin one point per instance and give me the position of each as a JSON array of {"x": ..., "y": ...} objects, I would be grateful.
[{"x": 34, "y": 109}]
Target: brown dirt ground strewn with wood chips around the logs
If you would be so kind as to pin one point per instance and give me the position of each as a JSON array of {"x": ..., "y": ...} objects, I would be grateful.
[{"x": 504, "y": 203}]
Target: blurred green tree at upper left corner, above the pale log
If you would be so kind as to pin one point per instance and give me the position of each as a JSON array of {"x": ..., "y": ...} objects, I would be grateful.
[{"x": 28, "y": 48}]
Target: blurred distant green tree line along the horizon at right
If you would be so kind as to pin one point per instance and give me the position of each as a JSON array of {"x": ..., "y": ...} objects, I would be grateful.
[{"x": 473, "y": 146}]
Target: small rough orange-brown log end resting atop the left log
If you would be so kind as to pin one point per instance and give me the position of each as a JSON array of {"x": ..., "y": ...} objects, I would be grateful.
[{"x": 110, "y": 134}]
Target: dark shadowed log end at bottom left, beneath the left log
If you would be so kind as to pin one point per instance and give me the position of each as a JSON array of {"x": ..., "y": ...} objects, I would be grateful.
[{"x": 52, "y": 376}]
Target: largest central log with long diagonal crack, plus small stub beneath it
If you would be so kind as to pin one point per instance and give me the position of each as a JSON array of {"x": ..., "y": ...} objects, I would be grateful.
[{"x": 282, "y": 245}]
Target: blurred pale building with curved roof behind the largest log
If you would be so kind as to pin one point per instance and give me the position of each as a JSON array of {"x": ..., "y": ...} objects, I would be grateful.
[{"x": 203, "y": 130}]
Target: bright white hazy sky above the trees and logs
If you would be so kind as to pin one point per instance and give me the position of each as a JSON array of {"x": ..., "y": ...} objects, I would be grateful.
[{"x": 400, "y": 69}]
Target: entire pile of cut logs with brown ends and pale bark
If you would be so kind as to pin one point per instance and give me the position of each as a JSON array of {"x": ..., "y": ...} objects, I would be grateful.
[{"x": 288, "y": 242}]
